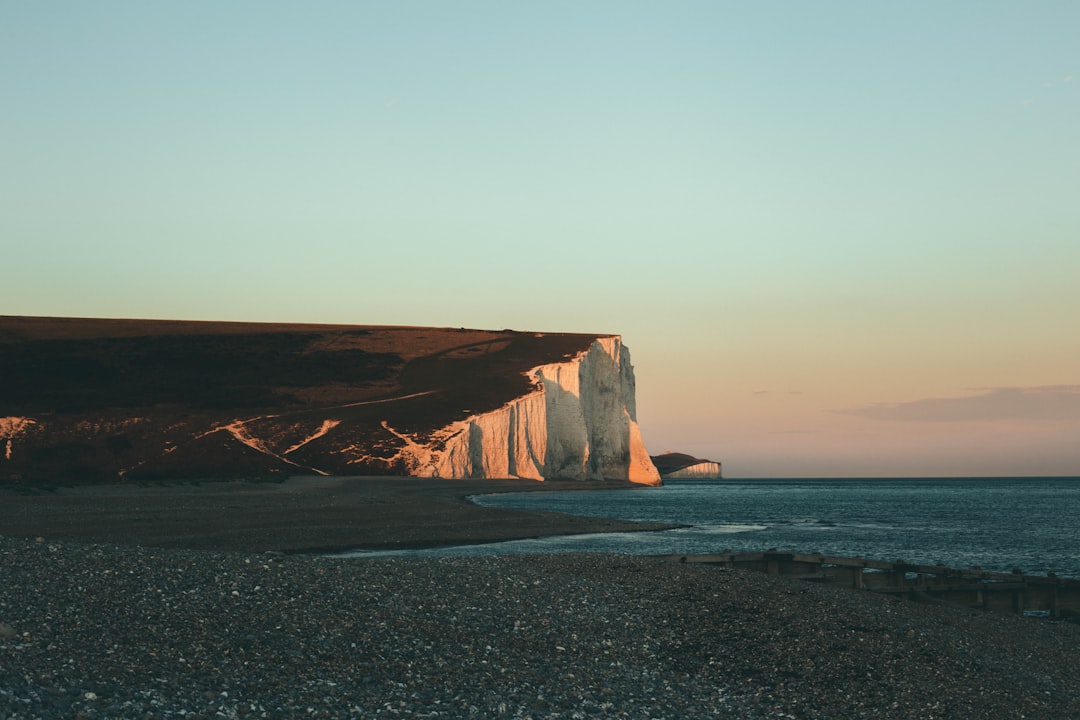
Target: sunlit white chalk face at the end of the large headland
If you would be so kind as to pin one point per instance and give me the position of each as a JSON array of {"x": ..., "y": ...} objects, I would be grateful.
[{"x": 580, "y": 423}]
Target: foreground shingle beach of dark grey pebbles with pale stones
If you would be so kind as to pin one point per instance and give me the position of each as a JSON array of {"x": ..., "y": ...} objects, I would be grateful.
[{"x": 91, "y": 631}]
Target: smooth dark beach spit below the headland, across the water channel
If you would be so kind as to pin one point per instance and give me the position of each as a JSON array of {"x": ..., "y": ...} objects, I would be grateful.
[{"x": 299, "y": 515}]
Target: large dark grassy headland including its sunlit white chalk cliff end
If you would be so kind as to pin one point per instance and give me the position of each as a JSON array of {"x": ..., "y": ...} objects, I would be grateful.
[{"x": 327, "y": 400}]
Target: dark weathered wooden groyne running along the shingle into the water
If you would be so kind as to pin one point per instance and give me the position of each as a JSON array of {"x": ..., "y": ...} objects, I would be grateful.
[{"x": 996, "y": 592}]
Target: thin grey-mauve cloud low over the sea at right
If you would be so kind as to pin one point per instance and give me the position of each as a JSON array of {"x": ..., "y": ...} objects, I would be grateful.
[{"x": 1055, "y": 403}]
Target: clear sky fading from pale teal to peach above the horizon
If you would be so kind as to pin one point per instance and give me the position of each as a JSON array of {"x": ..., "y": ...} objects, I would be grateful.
[{"x": 841, "y": 238}]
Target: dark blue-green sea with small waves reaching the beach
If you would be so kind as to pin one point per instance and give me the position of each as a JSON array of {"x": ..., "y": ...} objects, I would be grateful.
[{"x": 1000, "y": 524}]
